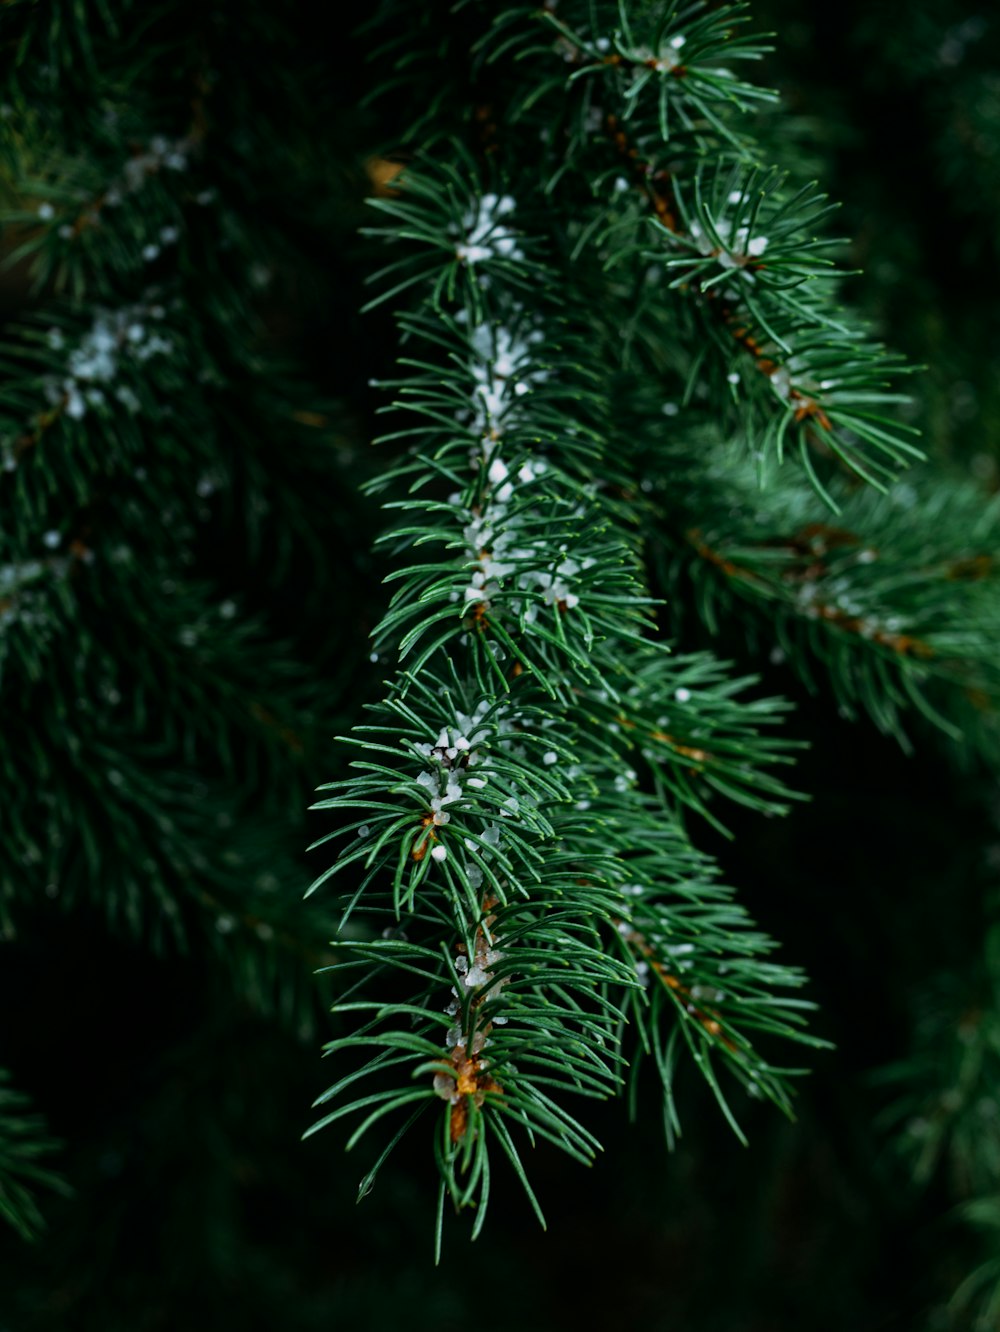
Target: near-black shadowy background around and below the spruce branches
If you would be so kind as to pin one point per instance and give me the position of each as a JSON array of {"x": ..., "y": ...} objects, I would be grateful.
[{"x": 196, "y": 1206}]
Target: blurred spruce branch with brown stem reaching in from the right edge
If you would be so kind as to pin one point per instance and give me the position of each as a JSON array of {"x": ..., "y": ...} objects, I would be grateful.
[{"x": 895, "y": 605}]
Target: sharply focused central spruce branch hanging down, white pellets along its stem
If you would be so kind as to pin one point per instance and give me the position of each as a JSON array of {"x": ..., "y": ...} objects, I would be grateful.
[{"x": 496, "y": 812}]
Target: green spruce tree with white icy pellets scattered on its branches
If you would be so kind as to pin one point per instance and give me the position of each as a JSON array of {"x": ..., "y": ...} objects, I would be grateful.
[{"x": 641, "y": 475}]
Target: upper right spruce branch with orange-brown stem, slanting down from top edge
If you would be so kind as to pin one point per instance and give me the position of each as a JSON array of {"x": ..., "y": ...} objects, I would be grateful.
[{"x": 728, "y": 234}]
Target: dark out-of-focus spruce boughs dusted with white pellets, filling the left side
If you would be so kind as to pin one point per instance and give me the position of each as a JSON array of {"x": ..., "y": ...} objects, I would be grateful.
[{"x": 160, "y": 727}]
